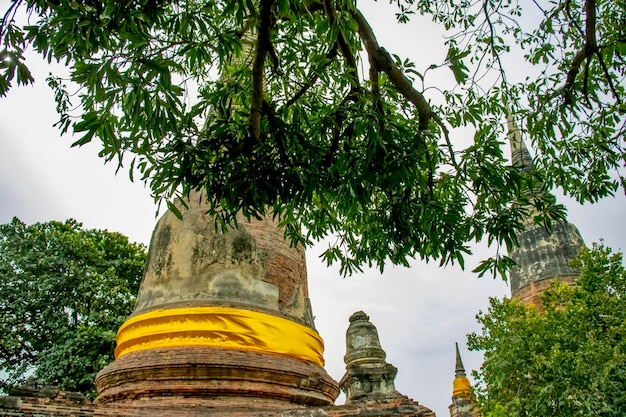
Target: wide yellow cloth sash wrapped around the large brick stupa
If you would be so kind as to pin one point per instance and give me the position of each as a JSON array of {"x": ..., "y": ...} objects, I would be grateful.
[{"x": 220, "y": 327}]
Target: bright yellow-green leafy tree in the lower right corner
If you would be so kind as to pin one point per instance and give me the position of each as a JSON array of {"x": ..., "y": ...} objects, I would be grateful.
[{"x": 569, "y": 360}]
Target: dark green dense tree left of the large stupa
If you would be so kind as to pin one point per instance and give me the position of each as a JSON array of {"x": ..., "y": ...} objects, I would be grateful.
[{"x": 64, "y": 292}]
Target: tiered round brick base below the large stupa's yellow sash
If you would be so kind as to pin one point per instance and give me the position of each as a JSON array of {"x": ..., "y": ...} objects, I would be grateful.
[{"x": 202, "y": 380}]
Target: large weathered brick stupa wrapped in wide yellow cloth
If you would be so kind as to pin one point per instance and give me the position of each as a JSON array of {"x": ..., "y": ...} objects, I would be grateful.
[{"x": 222, "y": 326}]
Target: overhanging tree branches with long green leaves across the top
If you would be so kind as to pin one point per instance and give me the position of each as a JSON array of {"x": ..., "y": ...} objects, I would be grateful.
[{"x": 265, "y": 106}]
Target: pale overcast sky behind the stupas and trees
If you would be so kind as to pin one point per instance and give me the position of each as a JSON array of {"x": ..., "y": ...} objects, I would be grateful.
[{"x": 419, "y": 311}]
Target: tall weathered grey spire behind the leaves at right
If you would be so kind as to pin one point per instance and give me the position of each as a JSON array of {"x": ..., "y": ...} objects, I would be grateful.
[{"x": 543, "y": 255}]
